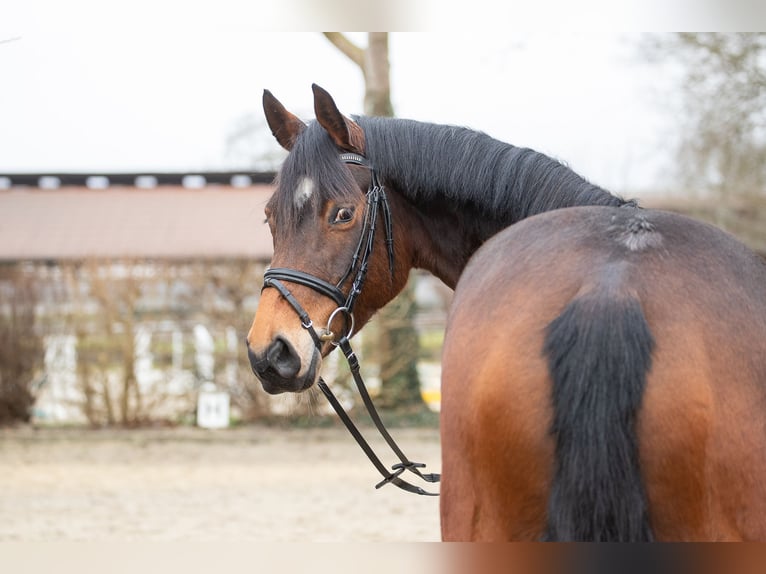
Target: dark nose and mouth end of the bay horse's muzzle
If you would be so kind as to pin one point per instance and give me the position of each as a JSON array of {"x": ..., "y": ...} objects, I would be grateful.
[{"x": 279, "y": 368}]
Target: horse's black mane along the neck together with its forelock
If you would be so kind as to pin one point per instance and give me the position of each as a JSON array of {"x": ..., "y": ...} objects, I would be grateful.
[{"x": 438, "y": 163}]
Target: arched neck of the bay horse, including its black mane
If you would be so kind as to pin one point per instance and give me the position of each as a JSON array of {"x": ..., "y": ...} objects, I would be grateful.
[{"x": 460, "y": 187}]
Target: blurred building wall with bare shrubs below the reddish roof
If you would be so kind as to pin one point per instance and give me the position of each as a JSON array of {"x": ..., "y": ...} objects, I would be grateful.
[{"x": 131, "y": 342}]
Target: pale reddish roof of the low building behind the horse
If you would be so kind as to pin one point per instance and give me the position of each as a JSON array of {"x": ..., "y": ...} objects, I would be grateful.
[{"x": 160, "y": 223}]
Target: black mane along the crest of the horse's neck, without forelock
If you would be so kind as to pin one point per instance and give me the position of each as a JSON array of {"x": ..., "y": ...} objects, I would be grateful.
[{"x": 469, "y": 167}]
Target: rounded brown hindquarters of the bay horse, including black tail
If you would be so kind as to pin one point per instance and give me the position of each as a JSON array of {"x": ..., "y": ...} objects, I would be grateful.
[{"x": 598, "y": 367}]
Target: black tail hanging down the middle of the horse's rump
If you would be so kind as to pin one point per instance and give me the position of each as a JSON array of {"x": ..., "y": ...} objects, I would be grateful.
[{"x": 599, "y": 353}]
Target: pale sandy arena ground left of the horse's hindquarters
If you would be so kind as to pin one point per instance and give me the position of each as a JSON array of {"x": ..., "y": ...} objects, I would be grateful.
[{"x": 188, "y": 484}]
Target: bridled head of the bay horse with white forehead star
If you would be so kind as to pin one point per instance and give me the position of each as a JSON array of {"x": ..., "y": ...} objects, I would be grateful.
[{"x": 323, "y": 218}]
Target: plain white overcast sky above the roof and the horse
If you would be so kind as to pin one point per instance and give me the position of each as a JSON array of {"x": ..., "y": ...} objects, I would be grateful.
[{"x": 160, "y": 87}]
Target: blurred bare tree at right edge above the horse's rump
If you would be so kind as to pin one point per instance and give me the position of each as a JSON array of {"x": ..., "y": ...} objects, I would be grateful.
[{"x": 721, "y": 156}]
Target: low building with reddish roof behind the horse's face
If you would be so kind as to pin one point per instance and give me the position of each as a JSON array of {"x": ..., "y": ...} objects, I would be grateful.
[{"x": 143, "y": 284}]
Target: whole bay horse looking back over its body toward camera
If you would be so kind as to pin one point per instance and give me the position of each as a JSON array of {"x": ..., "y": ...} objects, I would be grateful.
[{"x": 604, "y": 366}]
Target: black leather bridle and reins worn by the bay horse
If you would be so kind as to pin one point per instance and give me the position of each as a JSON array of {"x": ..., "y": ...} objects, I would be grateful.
[{"x": 377, "y": 202}]
